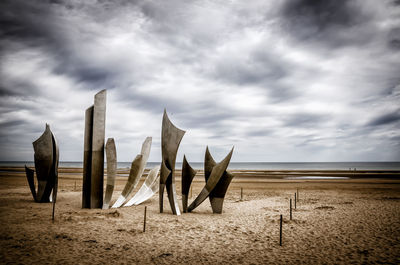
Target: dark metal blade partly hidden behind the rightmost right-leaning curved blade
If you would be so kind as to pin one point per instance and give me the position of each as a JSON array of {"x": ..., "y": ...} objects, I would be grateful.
[{"x": 217, "y": 195}]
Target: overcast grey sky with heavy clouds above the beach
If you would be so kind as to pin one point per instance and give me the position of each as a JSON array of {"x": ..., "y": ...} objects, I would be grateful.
[{"x": 281, "y": 81}]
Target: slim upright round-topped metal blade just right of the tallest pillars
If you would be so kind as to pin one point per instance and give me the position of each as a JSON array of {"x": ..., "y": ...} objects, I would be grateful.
[{"x": 111, "y": 154}]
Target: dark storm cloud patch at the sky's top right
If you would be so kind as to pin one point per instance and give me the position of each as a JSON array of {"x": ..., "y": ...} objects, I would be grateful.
[{"x": 327, "y": 21}]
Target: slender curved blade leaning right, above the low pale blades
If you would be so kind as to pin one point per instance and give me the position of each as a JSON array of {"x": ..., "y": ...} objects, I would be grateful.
[{"x": 135, "y": 173}]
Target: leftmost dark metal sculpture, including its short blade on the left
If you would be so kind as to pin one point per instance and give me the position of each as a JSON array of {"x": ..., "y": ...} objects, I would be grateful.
[{"x": 46, "y": 166}]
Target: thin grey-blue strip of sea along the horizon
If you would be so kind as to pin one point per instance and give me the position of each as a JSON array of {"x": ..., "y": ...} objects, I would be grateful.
[{"x": 249, "y": 165}]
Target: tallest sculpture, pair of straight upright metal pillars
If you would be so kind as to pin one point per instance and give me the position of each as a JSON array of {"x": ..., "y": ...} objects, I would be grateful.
[{"x": 93, "y": 159}]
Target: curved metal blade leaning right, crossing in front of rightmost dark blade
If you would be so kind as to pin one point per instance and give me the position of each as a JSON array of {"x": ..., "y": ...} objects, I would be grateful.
[{"x": 215, "y": 176}]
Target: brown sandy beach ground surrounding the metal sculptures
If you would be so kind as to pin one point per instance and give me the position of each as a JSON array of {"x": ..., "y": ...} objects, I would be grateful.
[{"x": 353, "y": 221}]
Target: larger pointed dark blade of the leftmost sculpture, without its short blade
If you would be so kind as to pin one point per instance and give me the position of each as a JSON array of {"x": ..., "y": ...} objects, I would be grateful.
[{"x": 43, "y": 148}]
